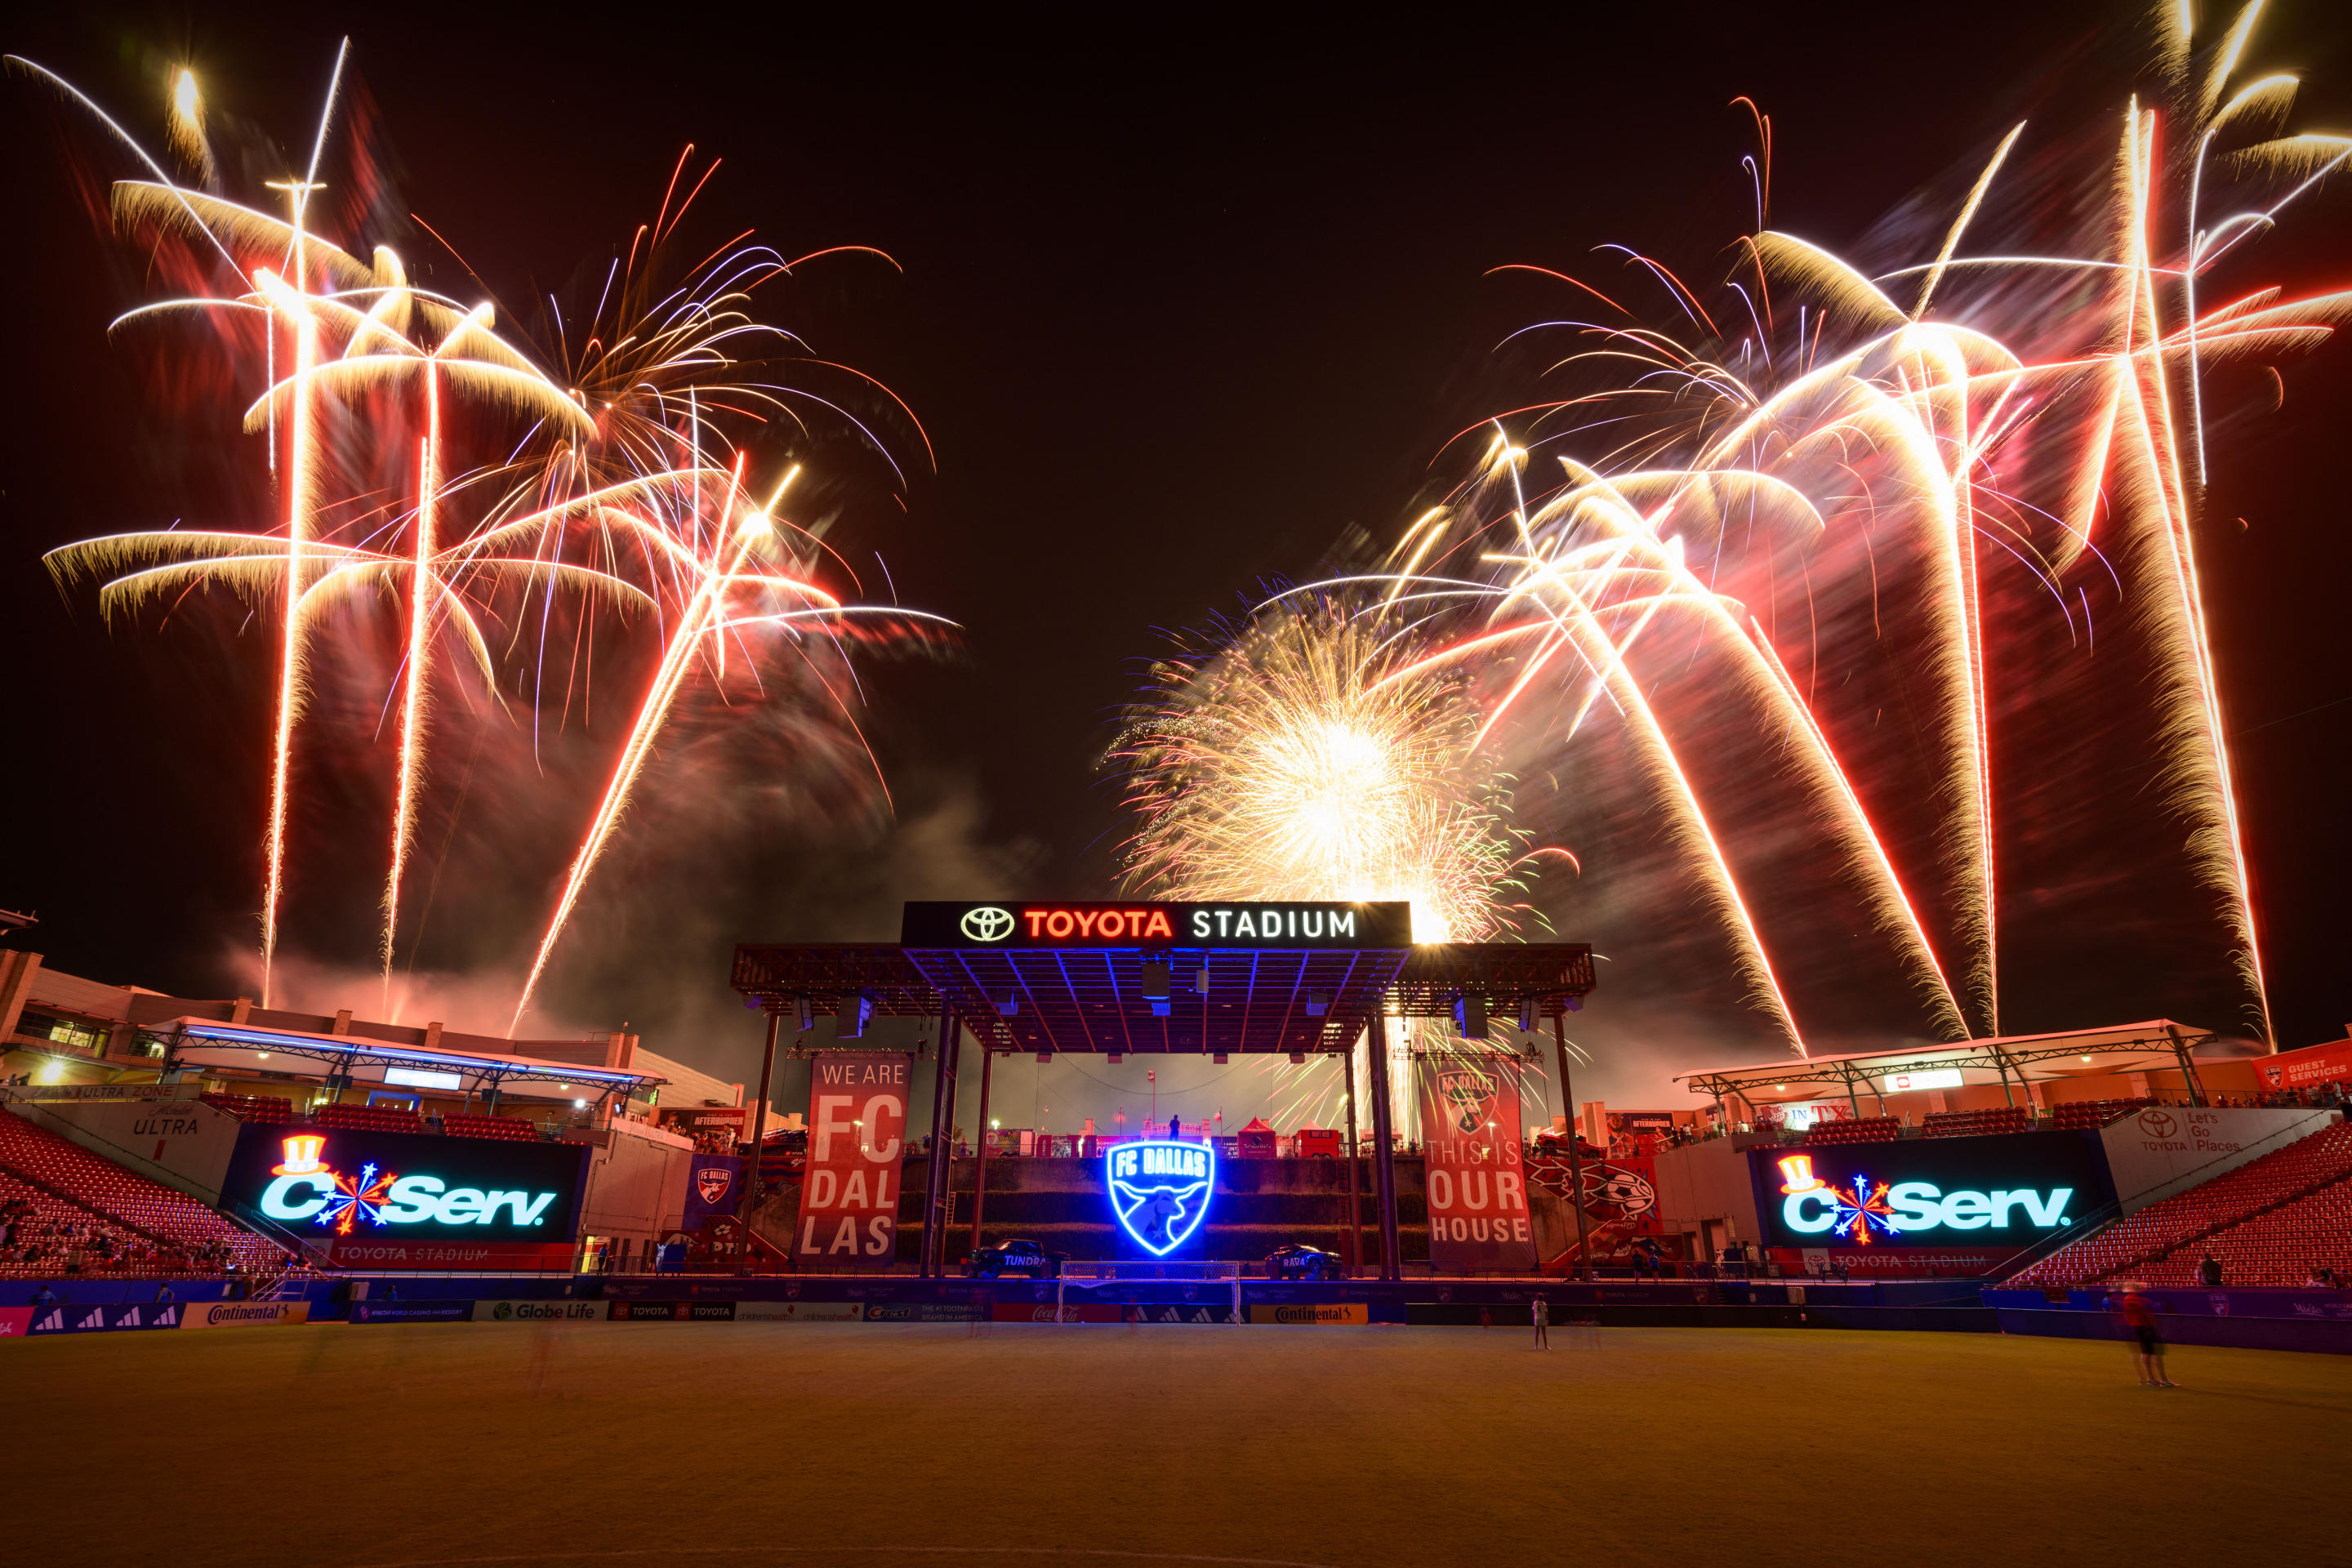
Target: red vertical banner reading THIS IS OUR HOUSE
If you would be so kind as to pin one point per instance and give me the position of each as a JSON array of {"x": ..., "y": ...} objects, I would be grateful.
[{"x": 1476, "y": 1179}]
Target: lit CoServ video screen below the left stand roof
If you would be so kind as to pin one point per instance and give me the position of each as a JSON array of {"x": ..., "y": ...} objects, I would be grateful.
[{"x": 413, "y": 1200}]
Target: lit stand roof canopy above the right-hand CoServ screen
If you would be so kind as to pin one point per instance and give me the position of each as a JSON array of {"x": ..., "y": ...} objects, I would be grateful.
[{"x": 2024, "y": 1059}]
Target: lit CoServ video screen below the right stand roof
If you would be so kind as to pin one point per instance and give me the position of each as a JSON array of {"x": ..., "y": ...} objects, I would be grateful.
[{"x": 1930, "y": 1193}]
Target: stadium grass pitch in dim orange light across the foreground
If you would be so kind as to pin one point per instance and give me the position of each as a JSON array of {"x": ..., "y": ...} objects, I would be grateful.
[{"x": 1031, "y": 1447}]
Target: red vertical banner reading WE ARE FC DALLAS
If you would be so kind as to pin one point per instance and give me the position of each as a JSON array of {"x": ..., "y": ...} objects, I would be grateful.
[{"x": 857, "y": 1139}]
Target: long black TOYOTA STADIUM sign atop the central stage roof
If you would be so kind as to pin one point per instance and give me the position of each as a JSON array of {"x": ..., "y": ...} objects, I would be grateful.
[{"x": 1158, "y": 925}]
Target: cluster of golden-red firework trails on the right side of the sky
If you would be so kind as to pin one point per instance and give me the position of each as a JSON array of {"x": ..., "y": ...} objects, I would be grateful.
[{"x": 2000, "y": 436}]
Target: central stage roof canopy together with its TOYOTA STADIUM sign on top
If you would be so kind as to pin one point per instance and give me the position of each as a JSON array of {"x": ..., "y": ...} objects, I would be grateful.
[{"x": 1041, "y": 977}]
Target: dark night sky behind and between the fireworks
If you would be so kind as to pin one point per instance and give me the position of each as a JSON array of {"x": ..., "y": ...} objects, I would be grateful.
[{"x": 1182, "y": 307}]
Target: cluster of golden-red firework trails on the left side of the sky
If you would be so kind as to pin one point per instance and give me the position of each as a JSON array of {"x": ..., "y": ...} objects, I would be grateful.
[{"x": 608, "y": 497}]
